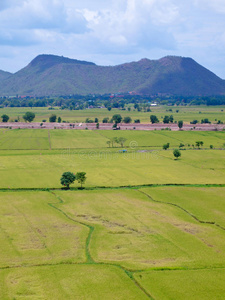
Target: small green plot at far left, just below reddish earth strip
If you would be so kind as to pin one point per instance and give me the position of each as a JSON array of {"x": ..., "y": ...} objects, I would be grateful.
[{"x": 24, "y": 139}]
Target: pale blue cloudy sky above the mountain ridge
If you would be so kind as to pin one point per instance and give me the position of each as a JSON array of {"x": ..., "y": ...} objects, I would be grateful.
[{"x": 112, "y": 32}]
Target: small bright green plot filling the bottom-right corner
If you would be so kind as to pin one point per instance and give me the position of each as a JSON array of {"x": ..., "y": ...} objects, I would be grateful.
[{"x": 184, "y": 285}]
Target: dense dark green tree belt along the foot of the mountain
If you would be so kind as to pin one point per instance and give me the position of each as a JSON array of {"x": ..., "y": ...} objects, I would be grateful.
[{"x": 138, "y": 102}]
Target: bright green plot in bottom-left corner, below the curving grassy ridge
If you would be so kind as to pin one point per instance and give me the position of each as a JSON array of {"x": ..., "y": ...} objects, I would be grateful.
[{"x": 68, "y": 282}]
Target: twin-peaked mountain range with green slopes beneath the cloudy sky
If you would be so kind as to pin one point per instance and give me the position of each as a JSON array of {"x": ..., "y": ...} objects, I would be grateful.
[{"x": 55, "y": 75}]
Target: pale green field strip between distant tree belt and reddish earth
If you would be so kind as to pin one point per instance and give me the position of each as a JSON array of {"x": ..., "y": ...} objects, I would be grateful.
[{"x": 186, "y": 113}]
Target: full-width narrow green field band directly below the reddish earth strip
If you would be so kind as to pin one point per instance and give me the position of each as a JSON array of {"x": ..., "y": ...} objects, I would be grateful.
[{"x": 42, "y": 139}]
